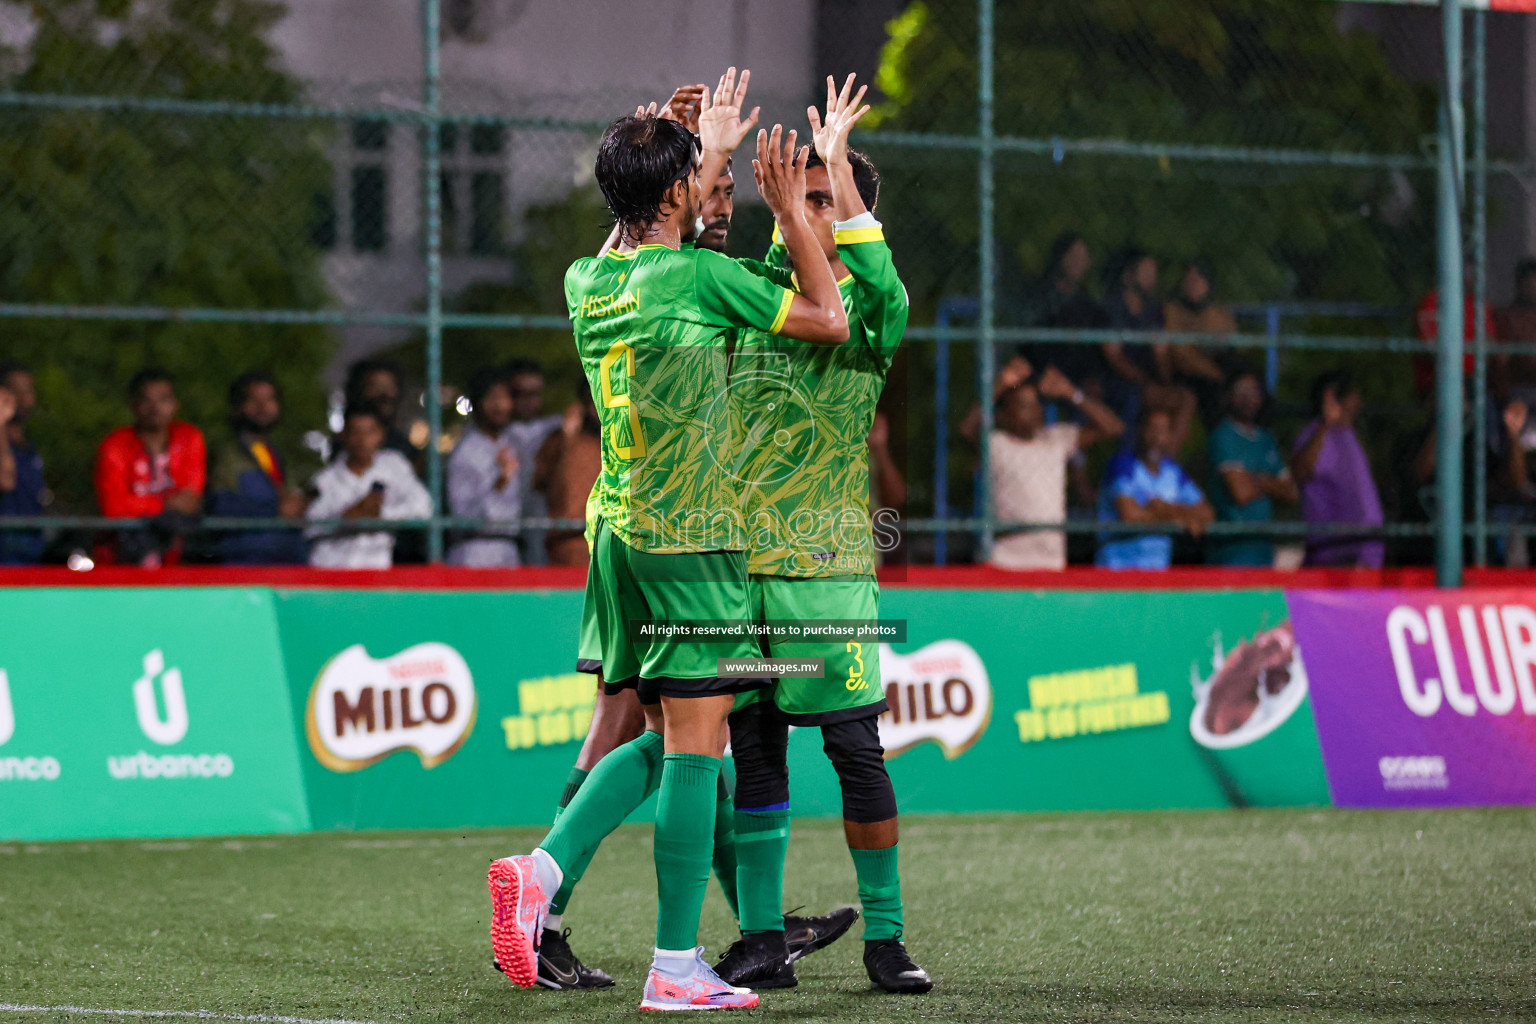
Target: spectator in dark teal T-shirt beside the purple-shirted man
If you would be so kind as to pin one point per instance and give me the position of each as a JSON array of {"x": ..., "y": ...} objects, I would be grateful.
[{"x": 1248, "y": 475}]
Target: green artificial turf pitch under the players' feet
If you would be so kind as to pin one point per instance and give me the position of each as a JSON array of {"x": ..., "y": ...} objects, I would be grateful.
[{"x": 1250, "y": 916}]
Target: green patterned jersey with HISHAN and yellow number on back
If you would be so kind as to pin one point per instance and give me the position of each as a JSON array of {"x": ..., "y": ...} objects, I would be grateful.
[{"x": 652, "y": 331}]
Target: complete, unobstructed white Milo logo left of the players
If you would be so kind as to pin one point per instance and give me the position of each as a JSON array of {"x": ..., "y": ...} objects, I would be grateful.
[{"x": 362, "y": 709}]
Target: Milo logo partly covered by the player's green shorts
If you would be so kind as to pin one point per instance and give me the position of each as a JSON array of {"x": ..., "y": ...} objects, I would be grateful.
[{"x": 939, "y": 693}]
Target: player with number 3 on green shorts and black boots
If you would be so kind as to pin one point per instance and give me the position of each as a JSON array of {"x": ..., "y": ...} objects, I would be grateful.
[{"x": 806, "y": 472}]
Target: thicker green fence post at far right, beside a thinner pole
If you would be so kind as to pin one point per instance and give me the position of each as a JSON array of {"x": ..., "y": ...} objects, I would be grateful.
[{"x": 1449, "y": 372}]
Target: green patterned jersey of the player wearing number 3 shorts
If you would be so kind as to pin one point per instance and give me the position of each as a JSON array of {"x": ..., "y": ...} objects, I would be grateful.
[{"x": 806, "y": 420}]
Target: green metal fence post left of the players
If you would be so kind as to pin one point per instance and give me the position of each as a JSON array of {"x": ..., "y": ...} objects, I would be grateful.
[{"x": 432, "y": 171}]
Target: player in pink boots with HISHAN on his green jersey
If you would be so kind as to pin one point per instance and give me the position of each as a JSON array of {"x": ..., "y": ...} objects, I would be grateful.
[{"x": 652, "y": 325}]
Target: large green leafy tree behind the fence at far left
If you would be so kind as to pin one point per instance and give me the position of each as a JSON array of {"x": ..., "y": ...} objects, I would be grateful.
[{"x": 119, "y": 208}]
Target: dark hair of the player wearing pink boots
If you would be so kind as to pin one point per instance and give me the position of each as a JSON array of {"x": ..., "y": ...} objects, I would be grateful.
[{"x": 638, "y": 162}]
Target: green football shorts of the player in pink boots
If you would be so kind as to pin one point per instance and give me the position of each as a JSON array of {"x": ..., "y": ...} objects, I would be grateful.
[{"x": 627, "y": 587}]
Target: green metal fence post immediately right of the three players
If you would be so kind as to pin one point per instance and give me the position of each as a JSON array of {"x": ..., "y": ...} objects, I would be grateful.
[{"x": 987, "y": 357}]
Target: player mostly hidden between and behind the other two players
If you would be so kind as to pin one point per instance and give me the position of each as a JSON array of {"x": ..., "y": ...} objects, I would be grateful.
[{"x": 618, "y": 718}]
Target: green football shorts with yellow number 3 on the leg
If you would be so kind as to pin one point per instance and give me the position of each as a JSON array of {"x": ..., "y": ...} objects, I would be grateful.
[{"x": 852, "y": 687}]
